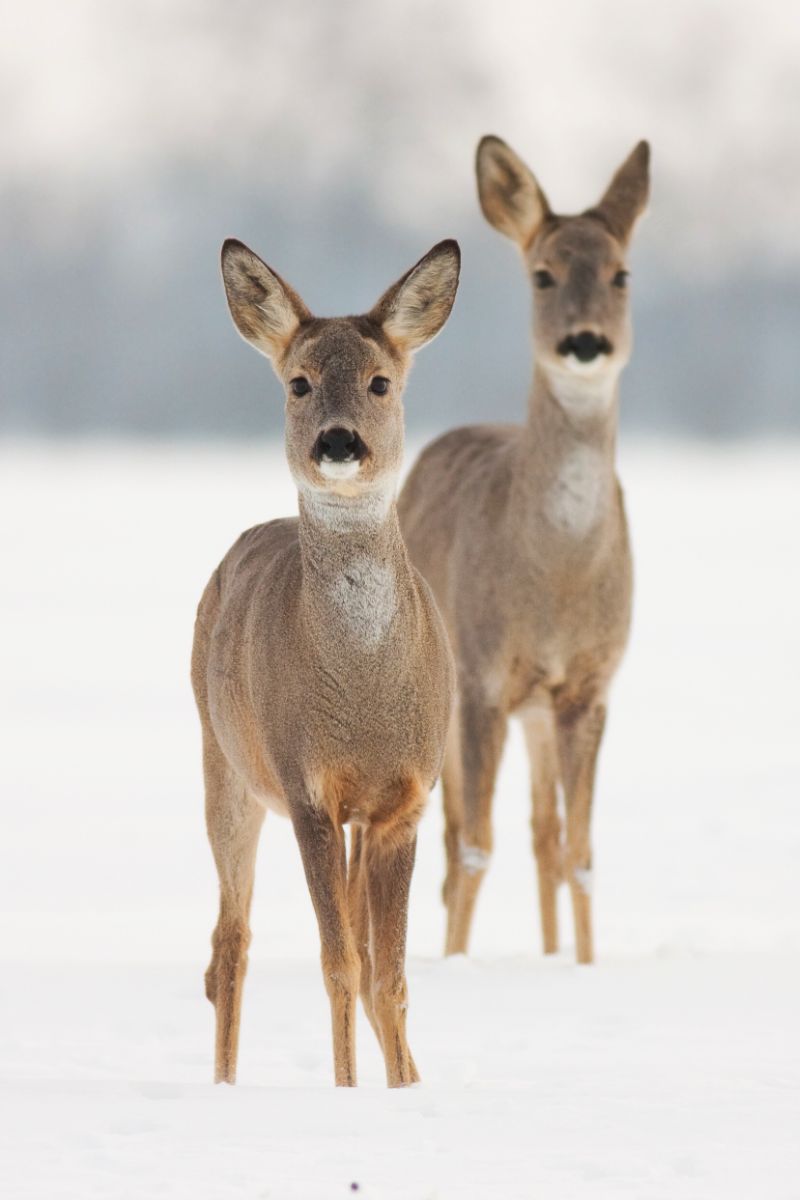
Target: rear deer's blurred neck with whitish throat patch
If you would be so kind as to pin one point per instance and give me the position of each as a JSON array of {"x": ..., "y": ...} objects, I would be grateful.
[{"x": 567, "y": 481}]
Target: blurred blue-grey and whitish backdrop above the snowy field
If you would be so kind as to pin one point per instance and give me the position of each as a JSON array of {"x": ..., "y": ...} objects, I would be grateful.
[{"x": 338, "y": 140}]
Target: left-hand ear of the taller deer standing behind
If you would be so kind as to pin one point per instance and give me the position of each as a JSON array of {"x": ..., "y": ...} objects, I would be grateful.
[{"x": 510, "y": 197}]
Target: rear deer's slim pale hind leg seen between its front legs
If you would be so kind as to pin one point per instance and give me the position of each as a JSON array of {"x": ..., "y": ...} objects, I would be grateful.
[{"x": 543, "y": 749}]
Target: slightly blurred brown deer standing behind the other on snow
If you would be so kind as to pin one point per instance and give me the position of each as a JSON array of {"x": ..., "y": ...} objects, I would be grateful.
[{"x": 521, "y": 532}]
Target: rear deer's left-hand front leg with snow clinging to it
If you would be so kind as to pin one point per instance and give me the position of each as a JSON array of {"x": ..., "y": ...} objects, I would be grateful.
[{"x": 483, "y": 734}]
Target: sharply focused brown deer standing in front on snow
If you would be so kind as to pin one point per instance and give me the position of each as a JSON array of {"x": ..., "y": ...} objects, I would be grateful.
[{"x": 321, "y": 665}]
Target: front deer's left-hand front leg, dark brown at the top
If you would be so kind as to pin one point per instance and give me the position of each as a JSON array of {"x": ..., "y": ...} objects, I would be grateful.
[{"x": 322, "y": 848}]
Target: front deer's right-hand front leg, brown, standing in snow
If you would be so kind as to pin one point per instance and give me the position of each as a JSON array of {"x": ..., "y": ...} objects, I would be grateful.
[{"x": 389, "y": 879}]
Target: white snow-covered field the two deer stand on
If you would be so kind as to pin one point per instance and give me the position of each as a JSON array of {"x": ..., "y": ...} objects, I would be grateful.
[{"x": 671, "y": 1070}]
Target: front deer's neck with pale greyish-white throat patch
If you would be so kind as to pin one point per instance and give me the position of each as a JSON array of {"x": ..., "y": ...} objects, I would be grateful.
[{"x": 353, "y": 563}]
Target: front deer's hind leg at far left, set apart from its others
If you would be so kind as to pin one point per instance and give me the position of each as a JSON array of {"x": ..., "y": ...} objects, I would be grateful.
[{"x": 234, "y": 823}]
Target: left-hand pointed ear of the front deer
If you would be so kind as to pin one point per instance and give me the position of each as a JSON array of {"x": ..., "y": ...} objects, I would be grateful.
[{"x": 266, "y": 310}]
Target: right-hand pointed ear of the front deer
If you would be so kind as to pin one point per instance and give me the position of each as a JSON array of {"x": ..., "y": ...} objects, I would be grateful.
[{"x": 413, "y": 311}]
